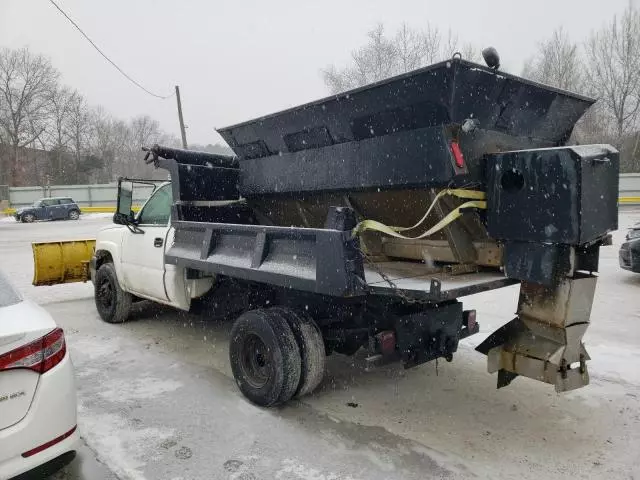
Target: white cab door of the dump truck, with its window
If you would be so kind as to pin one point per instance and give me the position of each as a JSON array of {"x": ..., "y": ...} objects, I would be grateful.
[{"x": 142, "y": 255}]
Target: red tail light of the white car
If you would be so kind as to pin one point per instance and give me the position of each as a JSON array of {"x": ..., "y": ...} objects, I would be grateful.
[{"x": 40, "y": 356}]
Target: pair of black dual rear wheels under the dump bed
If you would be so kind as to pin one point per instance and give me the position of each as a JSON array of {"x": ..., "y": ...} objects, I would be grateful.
[{"x": 276, "y": 354}]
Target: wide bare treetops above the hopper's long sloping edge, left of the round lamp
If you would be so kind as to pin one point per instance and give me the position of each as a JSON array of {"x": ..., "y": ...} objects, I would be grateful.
[{"x": 382, "y": 57}]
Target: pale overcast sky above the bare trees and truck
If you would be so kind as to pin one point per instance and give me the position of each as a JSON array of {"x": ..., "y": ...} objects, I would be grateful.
[{"x": 238, "y": 59}]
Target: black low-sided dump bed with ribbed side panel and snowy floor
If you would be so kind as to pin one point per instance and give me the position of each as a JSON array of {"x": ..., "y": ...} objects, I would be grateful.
[{"x": 322, "y": 261}]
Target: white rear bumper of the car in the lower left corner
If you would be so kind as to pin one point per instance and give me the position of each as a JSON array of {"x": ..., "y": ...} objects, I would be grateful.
[{"x": 52, "y": 415}]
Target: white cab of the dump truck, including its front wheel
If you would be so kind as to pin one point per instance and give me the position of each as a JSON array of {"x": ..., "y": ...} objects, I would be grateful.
[{"x": 128, "y": 263}]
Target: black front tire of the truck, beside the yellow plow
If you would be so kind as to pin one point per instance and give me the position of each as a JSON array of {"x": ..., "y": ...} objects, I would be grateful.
[{"x": 113, "y": 303}]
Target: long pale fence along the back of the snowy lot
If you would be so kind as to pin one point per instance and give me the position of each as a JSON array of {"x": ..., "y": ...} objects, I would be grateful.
[{"x": 104, "y": 195}]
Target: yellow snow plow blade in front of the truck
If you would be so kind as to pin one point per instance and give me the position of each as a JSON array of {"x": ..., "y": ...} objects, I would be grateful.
[{"x": 61, "y": 262}]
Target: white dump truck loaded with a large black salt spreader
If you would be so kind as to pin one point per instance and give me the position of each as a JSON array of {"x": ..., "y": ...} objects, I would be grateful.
[{"x": 350, "y": 223}]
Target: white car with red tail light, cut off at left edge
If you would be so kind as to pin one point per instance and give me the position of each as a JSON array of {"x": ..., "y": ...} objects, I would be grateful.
[{"x": 38, "y": 419}]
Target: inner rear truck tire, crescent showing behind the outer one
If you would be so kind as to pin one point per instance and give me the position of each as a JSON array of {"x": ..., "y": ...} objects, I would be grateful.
[{"x": 311, "y": 346}]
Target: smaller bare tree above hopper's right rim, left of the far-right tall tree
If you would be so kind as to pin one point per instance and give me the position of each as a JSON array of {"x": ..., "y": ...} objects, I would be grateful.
[{"x": 557, "y": 62}]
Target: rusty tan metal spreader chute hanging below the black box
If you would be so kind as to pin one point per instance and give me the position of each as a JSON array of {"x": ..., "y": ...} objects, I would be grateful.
[{"x": 545, "y": 341}]
